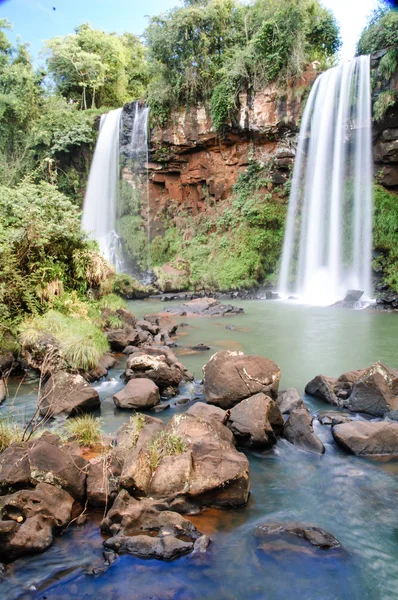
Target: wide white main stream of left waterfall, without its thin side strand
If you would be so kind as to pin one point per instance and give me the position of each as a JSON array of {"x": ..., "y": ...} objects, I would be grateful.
[{"x": 100, "y": 201}]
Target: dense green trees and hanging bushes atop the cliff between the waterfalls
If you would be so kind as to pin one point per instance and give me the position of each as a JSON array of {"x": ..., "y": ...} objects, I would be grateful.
[{"x": 209, "y": 50}]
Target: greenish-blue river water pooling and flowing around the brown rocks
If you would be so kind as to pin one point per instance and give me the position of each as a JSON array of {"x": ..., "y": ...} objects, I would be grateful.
[{"x": 355, "y": 499}]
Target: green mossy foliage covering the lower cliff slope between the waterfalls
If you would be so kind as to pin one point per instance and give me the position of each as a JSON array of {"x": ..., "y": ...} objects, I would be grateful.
[{"x": 237, "y": 246}]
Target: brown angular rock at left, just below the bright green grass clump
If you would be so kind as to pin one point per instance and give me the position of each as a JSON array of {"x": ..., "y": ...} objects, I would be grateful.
[{"x": 67, "y": 393}]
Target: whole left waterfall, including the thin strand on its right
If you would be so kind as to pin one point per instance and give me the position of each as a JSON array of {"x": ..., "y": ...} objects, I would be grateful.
[{"x": 111, "y": 200}]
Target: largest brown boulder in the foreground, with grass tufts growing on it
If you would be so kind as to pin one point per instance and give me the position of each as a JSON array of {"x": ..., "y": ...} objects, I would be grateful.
[{"x": 190, "y": 461}]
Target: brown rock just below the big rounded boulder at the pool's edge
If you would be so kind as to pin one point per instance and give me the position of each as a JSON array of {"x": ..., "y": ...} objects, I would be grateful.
[{"x": 256, "y": 421}]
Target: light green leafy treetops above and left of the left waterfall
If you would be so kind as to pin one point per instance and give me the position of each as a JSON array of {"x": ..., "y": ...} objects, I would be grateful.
[{"x": 94, "y": 68}]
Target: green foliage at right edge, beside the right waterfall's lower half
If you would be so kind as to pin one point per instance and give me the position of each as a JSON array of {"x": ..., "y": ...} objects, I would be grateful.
[{"x": 385, "y": 234}]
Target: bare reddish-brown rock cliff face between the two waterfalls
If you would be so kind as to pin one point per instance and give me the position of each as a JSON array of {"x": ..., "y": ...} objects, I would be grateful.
[{"x": 191, "y": 164}]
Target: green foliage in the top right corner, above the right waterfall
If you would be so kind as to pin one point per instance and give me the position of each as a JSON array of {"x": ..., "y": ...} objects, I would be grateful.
[{"x": 381, "y": 31}]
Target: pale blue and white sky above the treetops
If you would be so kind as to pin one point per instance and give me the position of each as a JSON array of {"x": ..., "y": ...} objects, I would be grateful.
[{"x": 38, "y": 20}]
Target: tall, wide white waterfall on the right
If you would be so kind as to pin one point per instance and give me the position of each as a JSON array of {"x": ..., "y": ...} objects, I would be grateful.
[{"x": 328, "y": 237}]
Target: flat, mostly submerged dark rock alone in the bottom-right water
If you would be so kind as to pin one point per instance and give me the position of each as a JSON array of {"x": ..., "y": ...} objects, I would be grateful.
[{"x": 314, "y": 535}]
